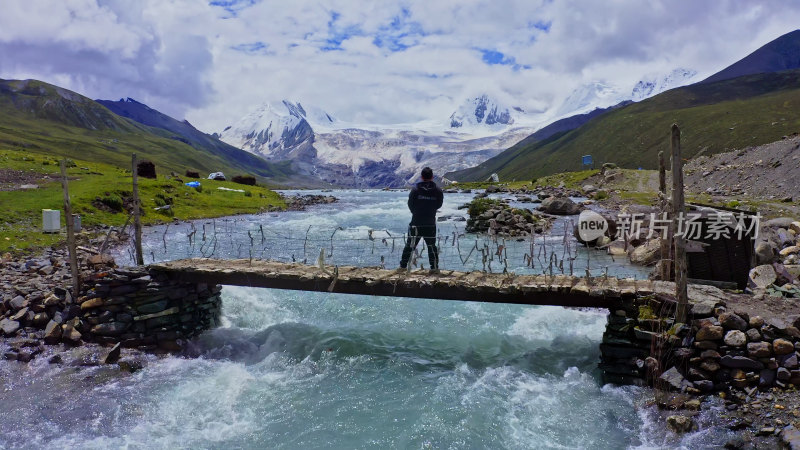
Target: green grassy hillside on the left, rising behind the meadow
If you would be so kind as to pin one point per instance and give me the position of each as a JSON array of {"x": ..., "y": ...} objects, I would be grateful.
[{"x": 48, "y": 120}]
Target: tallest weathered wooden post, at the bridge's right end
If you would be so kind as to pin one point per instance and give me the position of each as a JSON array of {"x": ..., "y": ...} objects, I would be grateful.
[{"x": 678, "y": 208}]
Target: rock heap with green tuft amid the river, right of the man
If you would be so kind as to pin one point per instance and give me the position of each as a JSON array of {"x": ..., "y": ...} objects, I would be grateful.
[{"x": 497, "y": 217}]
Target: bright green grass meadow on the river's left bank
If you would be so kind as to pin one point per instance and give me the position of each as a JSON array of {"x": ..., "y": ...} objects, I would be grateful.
[{"x": 20, "y": 226}]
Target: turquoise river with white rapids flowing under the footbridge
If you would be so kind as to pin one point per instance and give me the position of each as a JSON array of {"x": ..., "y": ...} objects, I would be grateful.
[{"x": 312, "y": 370}]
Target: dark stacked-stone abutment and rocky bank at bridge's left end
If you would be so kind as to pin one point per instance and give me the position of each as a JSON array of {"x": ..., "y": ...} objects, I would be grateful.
[{"x": 115, "y": 306}]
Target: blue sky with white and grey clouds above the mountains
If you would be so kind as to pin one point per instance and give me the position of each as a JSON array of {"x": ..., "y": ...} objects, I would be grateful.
[{"x": 211, "y": 62}]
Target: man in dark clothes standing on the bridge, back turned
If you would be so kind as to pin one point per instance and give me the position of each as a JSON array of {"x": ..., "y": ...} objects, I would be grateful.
[{"x": 423, "y": 201}]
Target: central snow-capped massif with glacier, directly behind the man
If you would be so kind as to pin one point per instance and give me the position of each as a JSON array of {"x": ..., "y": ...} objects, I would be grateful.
[{"x": 365, "y": 156}]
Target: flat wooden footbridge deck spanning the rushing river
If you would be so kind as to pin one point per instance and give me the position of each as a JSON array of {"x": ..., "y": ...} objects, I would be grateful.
[{"x": 559, "y": 290}]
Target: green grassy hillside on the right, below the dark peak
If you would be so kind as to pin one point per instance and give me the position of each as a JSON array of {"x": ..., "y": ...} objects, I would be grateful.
[{"x": 737, "y": 113}]
